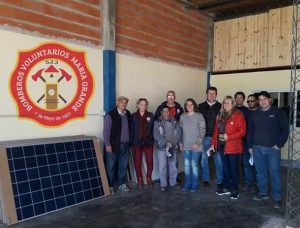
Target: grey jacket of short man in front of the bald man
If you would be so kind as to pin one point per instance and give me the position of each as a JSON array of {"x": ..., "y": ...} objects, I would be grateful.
[{"x": 167, "y": 131}]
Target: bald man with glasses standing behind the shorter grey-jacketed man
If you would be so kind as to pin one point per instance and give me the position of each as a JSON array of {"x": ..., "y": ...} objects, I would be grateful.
[{"x": 174, "y": 107}]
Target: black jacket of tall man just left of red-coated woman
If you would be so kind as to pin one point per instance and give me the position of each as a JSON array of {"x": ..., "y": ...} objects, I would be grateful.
[{"x": 210, "y": 113}]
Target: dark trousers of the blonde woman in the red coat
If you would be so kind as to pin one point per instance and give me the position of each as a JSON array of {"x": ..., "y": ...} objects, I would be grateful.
[{"x": 230, "y": 164}]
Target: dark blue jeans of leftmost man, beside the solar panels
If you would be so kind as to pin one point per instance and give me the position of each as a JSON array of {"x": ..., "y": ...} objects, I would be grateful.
[{"x": 116, "y": 164}]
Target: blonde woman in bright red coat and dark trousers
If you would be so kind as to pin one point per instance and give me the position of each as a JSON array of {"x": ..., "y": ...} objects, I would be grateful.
[{"x": 229, "y": 130}]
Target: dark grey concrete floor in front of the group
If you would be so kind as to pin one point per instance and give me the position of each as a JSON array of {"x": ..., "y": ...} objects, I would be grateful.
[{"x": 174, "y": 208}]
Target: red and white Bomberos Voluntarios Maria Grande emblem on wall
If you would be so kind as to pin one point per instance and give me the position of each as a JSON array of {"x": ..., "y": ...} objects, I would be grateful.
[{"x": 51, "y": 84}]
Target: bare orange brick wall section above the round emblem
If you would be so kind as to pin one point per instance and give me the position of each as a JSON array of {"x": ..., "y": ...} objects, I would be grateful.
[{"x": 71, "y": 19}]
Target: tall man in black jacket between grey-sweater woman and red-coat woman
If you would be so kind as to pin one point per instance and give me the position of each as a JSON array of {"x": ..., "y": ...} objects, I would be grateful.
[{"x": 210, "y": 109}]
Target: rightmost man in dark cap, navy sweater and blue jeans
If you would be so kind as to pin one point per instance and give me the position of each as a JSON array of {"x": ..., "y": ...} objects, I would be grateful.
[{"x": 268, "y": 131}]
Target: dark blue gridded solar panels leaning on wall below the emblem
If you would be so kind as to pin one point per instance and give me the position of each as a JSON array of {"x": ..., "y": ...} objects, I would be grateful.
[{"x": 45, "y": 176}]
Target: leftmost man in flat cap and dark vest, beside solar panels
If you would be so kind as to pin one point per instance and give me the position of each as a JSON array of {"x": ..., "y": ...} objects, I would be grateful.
[{"x": 116, "y": 139}]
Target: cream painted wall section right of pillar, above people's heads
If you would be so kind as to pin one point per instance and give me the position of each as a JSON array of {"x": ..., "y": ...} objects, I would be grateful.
[{"x": 140, "y": 77}]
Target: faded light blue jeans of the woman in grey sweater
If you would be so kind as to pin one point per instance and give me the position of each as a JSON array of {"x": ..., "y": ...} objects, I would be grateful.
[{"x": 191, "y": 169}]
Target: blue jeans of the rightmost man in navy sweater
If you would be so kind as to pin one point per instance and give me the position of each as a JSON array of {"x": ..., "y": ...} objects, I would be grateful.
[{"x": 268, "y": 159}]
